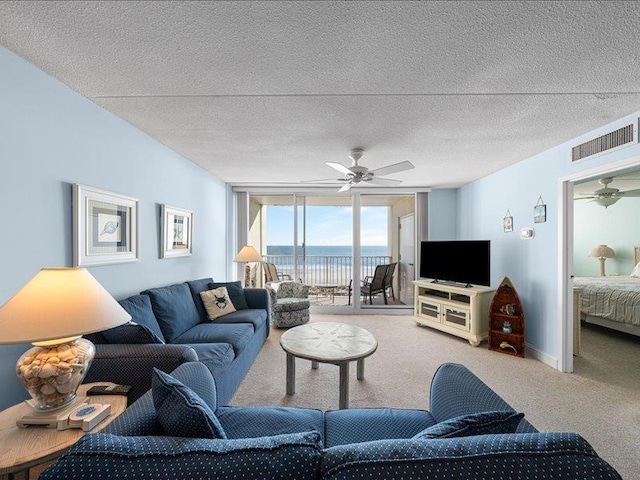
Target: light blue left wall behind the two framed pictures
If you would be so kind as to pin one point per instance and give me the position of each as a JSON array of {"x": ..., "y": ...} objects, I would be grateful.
[{"x": 51, "y": 137}]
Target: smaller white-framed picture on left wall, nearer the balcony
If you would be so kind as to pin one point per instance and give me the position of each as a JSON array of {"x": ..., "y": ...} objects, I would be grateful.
[{"x": 177, "y": 231}]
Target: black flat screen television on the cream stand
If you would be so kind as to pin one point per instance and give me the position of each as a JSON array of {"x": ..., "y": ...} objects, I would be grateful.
[{"x": 458, "y": 261}]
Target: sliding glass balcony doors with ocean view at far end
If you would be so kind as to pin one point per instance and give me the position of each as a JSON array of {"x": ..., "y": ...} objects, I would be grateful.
[{"x": 311, "y": 239}]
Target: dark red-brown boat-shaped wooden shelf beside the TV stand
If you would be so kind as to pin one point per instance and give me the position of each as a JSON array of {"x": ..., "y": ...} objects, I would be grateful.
[{"x": 506, "y": 321}]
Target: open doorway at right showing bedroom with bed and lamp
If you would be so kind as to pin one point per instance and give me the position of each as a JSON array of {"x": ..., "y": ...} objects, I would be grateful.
[{"x": 606, "y": 249}]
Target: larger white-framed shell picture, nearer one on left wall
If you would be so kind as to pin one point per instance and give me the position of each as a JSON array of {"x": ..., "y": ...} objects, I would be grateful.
[{"x": 105, "y": 227}]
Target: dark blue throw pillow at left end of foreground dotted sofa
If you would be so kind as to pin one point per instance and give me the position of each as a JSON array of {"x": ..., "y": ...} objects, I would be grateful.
[{"x": 181, "y": 411}]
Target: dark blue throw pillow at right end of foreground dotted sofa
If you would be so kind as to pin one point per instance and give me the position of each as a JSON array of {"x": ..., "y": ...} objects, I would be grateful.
[{"x": 481, "y": 423}]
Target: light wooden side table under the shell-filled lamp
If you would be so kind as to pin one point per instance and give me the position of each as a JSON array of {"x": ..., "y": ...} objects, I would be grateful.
[{"x": 23, "y": 448}]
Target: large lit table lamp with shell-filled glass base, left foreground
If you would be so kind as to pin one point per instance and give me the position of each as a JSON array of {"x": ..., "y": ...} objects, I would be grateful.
[{"x": 52, "y": 311}]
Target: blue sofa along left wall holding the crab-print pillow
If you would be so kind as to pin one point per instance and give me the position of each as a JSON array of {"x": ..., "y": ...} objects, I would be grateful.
[{"x": 172, "y": 327}]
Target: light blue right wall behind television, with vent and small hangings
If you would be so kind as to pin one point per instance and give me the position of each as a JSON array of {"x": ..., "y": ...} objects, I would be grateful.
[{"x": 532, "y": 265}]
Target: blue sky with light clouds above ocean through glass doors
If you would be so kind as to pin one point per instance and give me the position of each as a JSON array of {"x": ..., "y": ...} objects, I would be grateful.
[{"x": 327, "y": 225}]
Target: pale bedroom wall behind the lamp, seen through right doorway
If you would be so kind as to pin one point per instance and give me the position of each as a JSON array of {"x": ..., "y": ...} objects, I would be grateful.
[{"x": 617, "y": 226}]
